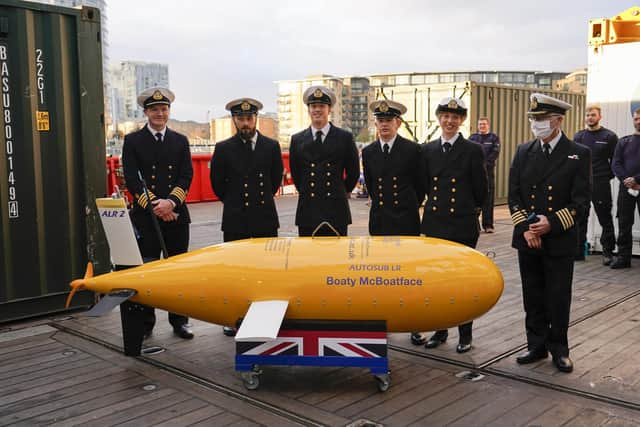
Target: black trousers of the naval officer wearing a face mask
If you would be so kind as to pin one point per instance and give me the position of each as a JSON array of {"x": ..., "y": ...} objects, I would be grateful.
[{"x": 546, "y": 293}]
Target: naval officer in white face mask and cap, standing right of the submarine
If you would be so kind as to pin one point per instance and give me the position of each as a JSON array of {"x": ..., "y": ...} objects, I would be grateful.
[{"x": 549, "y": 191}]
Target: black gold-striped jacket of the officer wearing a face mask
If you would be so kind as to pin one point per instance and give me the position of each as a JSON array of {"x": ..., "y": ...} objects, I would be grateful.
[{"x": 558, "y": 187}]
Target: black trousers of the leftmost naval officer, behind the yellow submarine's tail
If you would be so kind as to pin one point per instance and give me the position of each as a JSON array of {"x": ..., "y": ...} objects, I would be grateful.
[{"x": 176, "y": 238}]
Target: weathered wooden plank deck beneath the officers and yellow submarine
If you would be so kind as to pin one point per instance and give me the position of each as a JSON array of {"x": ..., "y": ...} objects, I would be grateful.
[{"x": 71, "y": 370}]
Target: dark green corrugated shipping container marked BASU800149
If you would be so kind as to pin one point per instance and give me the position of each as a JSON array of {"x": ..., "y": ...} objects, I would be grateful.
[{"x": 52, "y": 155}]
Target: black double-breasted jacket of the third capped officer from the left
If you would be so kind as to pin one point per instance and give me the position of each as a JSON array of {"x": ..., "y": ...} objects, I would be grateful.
[{"x": 323, "y": 176}]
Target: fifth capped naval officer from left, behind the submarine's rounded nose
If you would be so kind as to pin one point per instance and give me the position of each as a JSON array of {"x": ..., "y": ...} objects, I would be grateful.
[{"x": 455, "y": 180}]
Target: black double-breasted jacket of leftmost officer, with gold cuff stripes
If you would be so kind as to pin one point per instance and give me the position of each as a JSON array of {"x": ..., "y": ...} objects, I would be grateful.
[{"x": 166, "y": 168}]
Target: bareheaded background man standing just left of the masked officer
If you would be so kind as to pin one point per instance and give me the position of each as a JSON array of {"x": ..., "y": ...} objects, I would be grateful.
[{"x": 490, "y": 143}]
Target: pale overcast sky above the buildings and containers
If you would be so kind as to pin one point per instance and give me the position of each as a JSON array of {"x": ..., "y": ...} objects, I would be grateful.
[{"x": 220, "y": 50}]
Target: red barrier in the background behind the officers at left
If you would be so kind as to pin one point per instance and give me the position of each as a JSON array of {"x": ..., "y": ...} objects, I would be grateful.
[{"x": 200, "y": 190}]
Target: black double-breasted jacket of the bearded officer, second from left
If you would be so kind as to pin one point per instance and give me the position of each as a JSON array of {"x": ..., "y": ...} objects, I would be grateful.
[{"x": 246, "y": 184}]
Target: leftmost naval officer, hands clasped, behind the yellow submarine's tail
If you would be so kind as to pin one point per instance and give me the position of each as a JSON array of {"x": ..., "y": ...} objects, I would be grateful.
[{"x": 163, "y": 158}]
